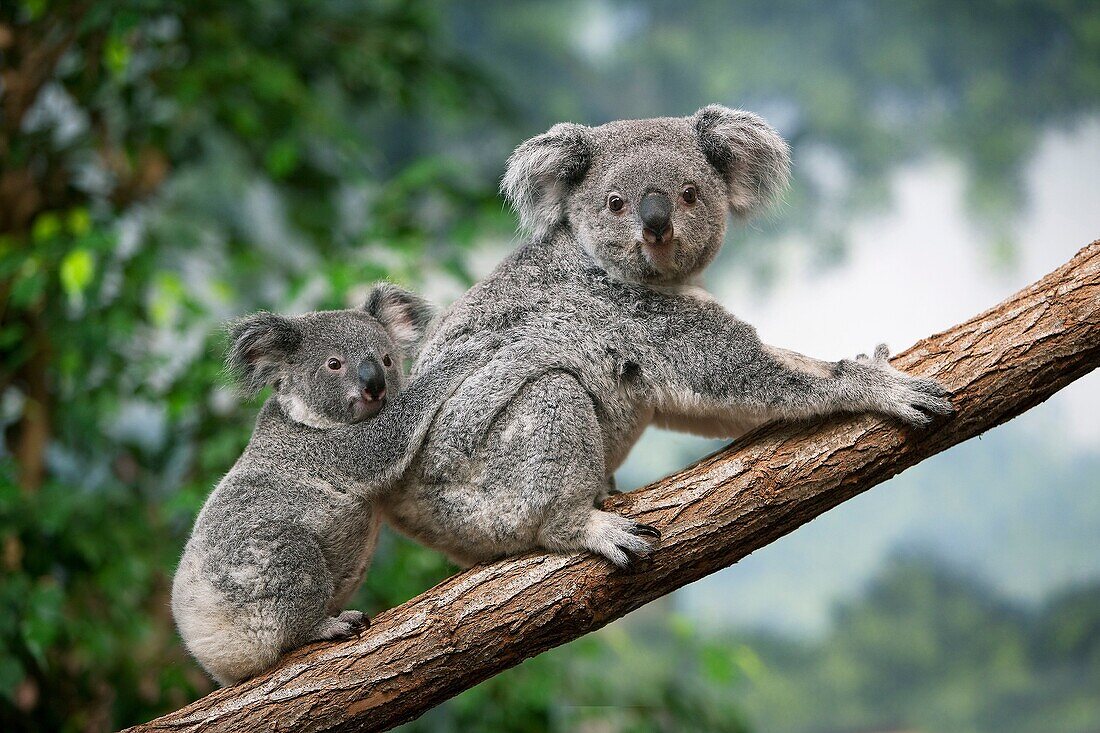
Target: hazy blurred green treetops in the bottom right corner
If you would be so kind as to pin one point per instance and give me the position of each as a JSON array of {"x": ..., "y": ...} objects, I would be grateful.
[{"x": 931, "y": 650}]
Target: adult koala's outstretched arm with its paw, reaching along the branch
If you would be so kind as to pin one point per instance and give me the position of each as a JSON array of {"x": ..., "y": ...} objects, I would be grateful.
[{"x": 724, "y": 380}]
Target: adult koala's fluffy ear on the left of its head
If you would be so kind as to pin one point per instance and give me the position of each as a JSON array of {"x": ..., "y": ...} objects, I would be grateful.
[{"x": 542, "y": 171}]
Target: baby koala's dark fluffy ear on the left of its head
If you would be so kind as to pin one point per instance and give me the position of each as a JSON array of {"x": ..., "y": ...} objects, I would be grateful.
[{"x": 260, "y": 346}]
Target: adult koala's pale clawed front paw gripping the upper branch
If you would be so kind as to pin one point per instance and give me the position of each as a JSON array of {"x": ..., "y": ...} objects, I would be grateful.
[{"x": 915, "y": 400}]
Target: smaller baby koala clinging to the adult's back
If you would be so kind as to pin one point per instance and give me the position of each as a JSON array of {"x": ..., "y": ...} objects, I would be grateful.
[{"x": 285, "y": 539}]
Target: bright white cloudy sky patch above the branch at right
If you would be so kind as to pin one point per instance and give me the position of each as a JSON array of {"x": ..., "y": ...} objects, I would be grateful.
[{"x": 918, "y": 270}]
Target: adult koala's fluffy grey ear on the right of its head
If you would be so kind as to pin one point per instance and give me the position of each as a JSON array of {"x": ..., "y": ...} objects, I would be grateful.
[{"x": 754, "y": 159}]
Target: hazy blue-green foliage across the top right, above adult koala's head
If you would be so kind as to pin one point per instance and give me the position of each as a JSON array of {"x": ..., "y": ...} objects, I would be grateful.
[{"x": 859, "y": 87}]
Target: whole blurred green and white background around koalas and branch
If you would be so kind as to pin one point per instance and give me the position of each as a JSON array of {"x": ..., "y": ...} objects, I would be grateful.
[{"x": 167, "y": 166}]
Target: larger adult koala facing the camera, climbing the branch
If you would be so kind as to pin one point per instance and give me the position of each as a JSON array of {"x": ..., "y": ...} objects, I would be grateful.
[{"x": 624, "y": 220}]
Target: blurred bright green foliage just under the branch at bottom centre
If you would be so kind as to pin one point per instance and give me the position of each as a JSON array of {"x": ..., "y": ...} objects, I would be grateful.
[{"x": 678, "y": 681}]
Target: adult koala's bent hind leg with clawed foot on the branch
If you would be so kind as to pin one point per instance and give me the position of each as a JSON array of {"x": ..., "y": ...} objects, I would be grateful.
[{"x": 559, "y": 464}]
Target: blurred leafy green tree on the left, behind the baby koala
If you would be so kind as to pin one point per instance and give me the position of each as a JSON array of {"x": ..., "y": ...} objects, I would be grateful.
[{"x": 164, "y": 166}]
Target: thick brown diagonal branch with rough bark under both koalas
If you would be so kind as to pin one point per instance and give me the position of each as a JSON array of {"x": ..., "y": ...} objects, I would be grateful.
[{"x": 491, "y": 618}]
